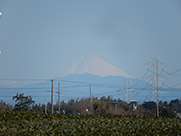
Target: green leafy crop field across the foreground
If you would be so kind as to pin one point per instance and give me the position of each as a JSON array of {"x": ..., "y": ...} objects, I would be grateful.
[{"x": 56, "y": 124}]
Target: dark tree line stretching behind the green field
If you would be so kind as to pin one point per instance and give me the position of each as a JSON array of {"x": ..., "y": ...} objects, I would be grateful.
[{"x": 103, "y": 105}]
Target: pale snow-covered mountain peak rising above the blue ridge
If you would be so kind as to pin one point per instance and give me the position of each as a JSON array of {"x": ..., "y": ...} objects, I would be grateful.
[{"x": 97, "y": 66}]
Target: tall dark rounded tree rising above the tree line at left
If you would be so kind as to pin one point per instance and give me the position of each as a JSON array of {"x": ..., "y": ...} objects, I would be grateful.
[{"x": 23, "y": 103}]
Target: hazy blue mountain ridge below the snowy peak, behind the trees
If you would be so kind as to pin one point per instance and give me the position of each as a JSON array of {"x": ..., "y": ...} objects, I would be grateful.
[{"x": 77, "y": 86}]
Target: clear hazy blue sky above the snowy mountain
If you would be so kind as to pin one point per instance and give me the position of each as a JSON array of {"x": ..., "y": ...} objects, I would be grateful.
[{"x": 38, "y": 38}]
